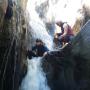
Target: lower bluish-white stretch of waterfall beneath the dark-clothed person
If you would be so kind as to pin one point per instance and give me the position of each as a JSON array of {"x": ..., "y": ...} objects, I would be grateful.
[{"x": 35, "y": 78}]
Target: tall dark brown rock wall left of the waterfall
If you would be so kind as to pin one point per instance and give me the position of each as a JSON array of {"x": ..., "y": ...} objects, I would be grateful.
[{"x": 13, "y": 65}]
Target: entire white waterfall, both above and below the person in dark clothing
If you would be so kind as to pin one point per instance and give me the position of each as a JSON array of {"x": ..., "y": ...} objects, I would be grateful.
[{"x": 35, "y": 78}]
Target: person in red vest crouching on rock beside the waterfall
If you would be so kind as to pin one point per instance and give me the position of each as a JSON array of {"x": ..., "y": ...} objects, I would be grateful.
[{"x": 66, "y": 34}]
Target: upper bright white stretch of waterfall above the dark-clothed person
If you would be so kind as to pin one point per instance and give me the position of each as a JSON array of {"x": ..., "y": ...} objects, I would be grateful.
[{"x": 36, "y": 25}]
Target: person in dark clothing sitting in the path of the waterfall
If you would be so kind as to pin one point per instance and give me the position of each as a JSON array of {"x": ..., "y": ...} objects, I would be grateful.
[{"x": 38, "y": 50}]
